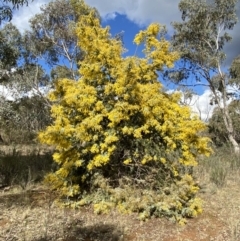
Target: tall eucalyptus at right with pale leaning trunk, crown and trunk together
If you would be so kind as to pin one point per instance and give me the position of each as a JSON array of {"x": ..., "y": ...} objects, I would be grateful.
[{"x": 201, "y": 38}]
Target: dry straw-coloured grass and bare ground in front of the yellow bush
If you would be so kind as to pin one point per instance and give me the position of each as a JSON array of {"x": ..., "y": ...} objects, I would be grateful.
[{"x": 32, "y": 215}]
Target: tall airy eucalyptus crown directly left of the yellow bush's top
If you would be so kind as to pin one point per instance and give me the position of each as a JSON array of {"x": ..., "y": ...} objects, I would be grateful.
[{"x": 52, "y": 38}]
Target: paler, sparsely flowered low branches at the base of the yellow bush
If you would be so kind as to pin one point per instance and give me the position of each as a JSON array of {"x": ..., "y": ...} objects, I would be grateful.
[{"x": 175, "y": 201}]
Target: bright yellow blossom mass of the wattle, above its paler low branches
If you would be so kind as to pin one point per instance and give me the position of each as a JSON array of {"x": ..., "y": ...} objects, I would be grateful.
[{"x": 117, "y": 115}]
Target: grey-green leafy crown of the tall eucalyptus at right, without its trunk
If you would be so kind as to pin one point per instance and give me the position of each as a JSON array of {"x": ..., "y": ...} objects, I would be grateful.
[{"x": 203, "y": 33}]
